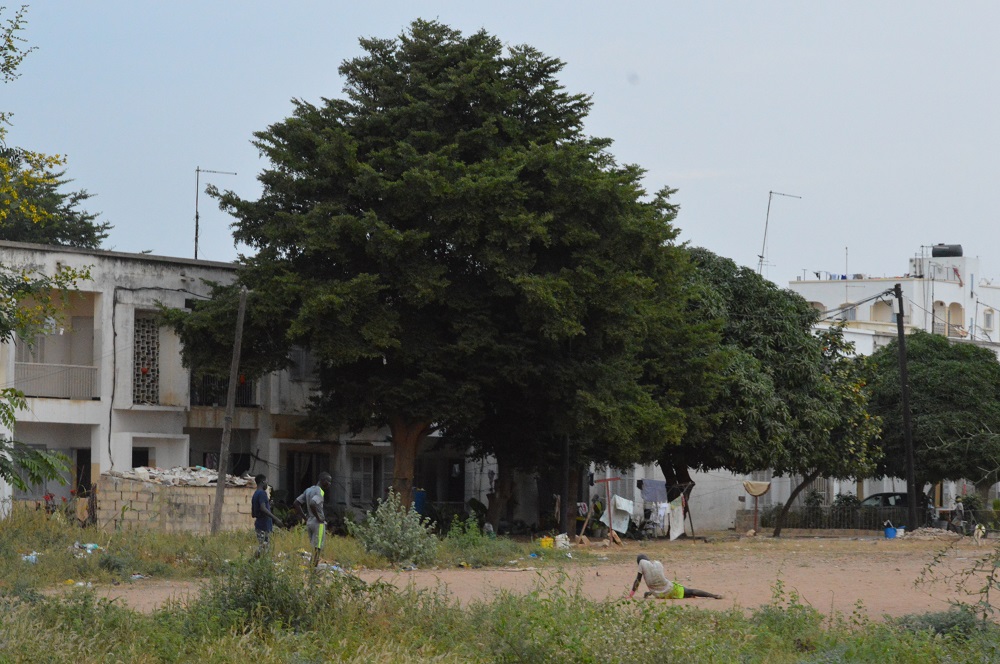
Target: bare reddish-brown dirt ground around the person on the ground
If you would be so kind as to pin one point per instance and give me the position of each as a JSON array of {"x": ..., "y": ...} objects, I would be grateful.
[{"x": 828, "y": 574}]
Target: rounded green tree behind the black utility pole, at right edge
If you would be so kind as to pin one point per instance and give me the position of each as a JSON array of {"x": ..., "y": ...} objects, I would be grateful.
[{"x": 955, "y": 411}]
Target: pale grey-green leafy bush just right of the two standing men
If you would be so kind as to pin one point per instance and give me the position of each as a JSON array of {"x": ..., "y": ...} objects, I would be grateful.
[{"x": 397, "y": 533}]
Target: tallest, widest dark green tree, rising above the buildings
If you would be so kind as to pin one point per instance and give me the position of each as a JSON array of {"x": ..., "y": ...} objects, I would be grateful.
[{"x": 446, "y": 233}]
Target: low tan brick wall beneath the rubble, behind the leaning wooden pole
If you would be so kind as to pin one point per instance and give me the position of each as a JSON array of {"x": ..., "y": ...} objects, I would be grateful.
[{"x": 169, "y": 509}]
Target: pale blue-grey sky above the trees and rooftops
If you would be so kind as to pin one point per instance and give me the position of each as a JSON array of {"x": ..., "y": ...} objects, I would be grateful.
[{"x": 881, "y": 117}]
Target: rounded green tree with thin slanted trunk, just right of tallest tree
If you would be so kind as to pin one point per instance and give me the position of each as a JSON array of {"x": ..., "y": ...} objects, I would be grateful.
[{"x": 790, "y": 399}]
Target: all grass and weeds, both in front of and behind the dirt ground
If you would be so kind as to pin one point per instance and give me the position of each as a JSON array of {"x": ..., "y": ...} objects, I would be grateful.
[{"x": 276, "y": 610}]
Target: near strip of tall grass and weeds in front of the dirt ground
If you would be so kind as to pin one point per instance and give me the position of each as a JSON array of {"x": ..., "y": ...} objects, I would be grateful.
[{"x": 267, "y": 612}]
